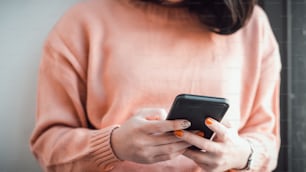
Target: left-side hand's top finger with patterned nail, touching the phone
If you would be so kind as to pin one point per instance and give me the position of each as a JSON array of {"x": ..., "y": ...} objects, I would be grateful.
[{"x": 166, "y": 125}]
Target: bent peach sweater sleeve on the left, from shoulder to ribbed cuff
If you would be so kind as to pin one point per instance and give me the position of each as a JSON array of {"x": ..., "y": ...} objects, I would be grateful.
[{"x": 62, "y": 139}]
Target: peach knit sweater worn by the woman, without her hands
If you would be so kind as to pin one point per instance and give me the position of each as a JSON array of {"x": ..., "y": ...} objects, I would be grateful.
[{"x": 107, "y": 58}]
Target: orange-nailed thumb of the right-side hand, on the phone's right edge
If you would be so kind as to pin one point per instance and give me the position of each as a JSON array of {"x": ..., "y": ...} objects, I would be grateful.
[{"x": 220, "y": 130}]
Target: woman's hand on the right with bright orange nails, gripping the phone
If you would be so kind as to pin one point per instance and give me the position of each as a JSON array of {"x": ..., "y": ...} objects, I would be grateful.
[{"x": 227, "y": 151}]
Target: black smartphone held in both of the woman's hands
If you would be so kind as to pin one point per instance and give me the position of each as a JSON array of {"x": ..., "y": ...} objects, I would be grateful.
[{"x": 196, "y": 108}]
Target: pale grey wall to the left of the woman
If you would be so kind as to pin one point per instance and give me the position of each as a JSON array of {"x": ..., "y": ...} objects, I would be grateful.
[{"x": 24, "y": 24}]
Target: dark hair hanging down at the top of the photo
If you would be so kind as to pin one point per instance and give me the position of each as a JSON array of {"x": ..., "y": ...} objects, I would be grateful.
[{"x": 220, "y": 16}]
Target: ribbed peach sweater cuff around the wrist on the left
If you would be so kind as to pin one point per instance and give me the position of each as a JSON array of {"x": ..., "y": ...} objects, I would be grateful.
[{"x": 101, "y": 150}]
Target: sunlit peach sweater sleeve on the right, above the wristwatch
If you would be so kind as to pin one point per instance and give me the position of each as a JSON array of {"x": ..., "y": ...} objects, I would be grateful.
[{"x": 262, "y": 128}]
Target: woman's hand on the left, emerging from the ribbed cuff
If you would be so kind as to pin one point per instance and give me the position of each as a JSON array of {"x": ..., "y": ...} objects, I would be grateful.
[{"x": 146, "y": 137}]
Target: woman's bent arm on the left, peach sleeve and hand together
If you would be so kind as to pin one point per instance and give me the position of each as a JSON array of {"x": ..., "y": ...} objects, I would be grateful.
[{"x": 62, "y": 140}]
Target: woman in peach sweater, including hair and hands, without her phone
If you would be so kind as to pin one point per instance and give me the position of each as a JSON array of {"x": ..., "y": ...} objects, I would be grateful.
[{"x": 111, "y": 69}]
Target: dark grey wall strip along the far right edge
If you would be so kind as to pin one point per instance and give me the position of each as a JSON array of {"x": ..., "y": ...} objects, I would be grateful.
[{"x": 298, "y": 116}]
